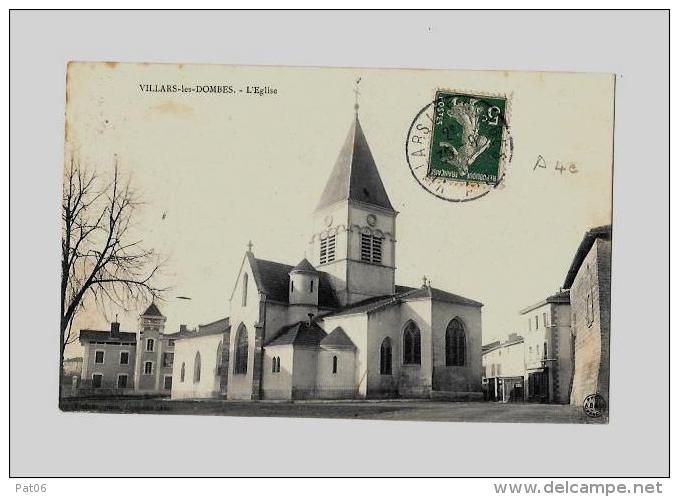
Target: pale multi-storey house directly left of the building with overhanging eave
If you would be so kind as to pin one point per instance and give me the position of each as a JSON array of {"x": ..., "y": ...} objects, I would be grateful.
[{"x": 549, "y": 349}]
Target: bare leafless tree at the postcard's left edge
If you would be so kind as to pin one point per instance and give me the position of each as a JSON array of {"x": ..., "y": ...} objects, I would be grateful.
[{"x": 102, "y": 261}]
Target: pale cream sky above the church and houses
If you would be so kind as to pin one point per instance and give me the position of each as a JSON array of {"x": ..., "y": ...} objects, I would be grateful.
[{"x": 218, "y": 170}]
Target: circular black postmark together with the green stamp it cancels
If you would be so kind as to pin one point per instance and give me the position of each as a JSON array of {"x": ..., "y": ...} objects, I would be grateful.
[{"x": 459, "y": 145}]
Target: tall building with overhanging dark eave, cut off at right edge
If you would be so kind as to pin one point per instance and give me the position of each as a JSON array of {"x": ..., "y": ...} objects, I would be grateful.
[{"x": 589, "y": 281}]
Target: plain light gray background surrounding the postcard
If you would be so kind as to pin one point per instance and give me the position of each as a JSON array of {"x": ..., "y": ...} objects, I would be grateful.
[{"x": 46, "y": 442}]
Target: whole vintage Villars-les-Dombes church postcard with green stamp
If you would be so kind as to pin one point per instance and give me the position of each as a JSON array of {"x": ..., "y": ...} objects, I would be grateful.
[{"x": 337, "y": 242}]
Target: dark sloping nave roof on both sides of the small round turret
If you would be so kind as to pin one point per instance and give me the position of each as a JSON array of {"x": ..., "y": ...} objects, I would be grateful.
[{"x": 273, "y": 279}]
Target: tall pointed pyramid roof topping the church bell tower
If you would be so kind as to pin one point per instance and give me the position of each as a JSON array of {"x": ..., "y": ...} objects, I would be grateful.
[{"x": 355, "y": 174}]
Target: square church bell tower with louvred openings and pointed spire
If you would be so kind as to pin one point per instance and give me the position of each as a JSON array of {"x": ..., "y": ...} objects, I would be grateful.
[{"x": 354, "y": 225}]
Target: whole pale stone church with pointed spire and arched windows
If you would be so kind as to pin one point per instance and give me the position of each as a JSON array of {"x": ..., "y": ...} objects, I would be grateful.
[{"x": 336, "y": 325}]
